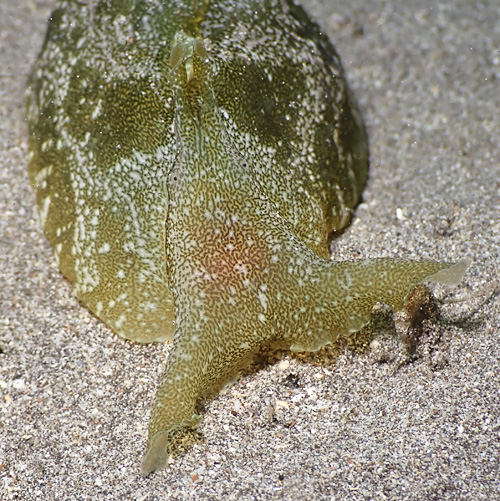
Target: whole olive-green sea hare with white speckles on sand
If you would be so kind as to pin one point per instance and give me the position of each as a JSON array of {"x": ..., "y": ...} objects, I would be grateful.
[{"x": 191, "y": 160}]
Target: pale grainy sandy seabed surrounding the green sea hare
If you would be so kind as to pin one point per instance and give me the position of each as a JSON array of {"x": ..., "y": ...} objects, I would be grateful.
[{"x": 75, "y": 399}]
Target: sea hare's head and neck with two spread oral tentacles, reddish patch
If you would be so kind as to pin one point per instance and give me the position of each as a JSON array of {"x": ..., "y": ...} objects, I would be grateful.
[{"x": 239, "y": 274}]
